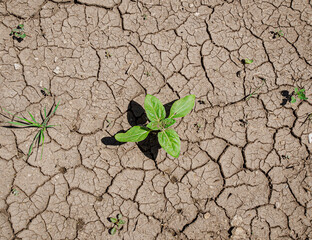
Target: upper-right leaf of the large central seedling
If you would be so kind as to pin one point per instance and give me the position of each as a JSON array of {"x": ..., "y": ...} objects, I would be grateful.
[{"x": 182, "y": 107}]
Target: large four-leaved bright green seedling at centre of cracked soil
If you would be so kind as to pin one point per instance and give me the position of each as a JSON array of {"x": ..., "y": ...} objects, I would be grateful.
[{"x": 168, "y": 138}]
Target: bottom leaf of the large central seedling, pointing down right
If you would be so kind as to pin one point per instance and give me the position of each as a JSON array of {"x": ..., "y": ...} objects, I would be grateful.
[{"x": 169, "y": 140}]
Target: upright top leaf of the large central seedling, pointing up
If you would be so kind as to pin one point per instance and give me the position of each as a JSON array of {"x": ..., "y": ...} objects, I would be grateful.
[{"x": 155, "y": 111}]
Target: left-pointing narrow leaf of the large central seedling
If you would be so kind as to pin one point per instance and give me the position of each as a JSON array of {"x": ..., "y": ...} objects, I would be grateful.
[{"x": 134, "y": 134}]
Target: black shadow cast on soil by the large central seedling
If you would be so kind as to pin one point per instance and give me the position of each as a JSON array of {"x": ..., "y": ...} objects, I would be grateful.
[{"x": 136, "y": 116}]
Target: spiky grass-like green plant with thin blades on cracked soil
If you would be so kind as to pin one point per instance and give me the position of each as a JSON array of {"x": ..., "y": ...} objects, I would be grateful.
[{"x": 43, "y": 126}]
